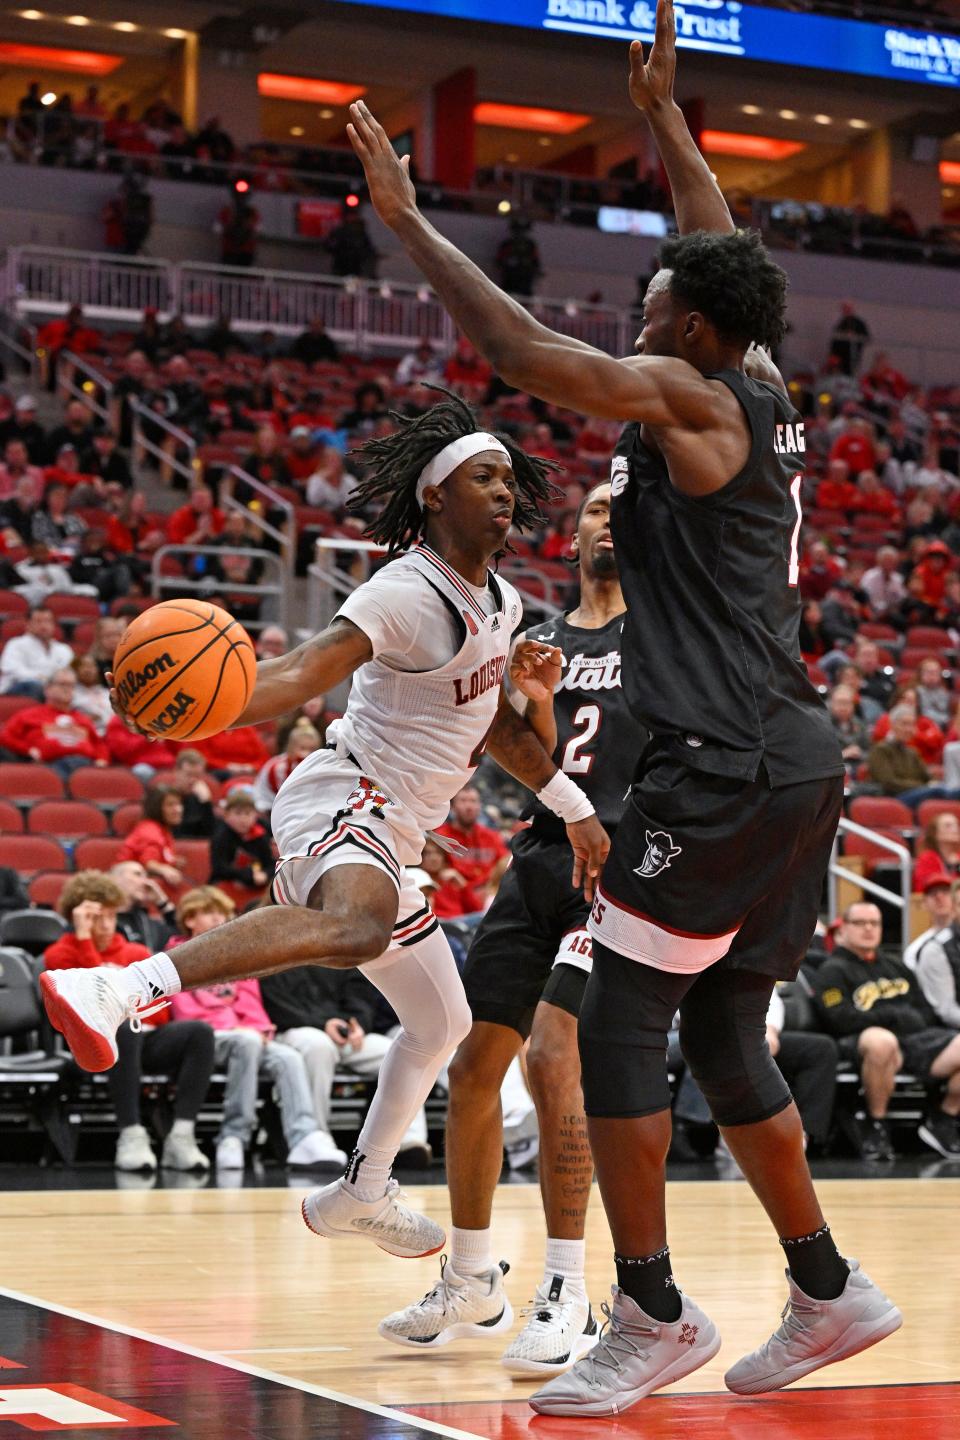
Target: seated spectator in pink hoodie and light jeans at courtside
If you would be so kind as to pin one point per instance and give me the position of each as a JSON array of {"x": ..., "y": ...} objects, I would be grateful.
[{"x": 244, "y": 1043}]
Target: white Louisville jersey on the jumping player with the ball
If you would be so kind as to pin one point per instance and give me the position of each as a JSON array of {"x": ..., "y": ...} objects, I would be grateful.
[{"x": 422, "y": 732}]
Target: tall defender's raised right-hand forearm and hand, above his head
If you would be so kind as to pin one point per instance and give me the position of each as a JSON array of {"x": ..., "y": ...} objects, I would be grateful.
[{"x": 697, "y": 198}]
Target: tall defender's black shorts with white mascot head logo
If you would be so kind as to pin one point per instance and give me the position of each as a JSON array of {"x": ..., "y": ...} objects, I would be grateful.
[{"x": 710, "y": 870}]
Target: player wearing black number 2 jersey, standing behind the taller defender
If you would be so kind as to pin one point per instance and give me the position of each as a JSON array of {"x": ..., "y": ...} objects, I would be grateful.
[{"x": 526, "y": 976}]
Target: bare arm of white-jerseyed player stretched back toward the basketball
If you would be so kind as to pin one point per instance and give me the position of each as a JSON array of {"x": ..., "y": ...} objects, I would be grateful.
[{"x": 313, "y": 669}]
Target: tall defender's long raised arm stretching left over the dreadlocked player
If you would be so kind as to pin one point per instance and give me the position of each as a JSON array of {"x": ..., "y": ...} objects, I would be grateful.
[{"x": 663, "y": 392}]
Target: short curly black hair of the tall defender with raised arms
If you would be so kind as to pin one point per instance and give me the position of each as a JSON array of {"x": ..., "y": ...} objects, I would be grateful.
[{"x": 733, "y": 282}]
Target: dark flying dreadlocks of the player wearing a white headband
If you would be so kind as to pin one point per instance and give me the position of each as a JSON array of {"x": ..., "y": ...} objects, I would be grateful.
[{"x": 397, "y": 463}]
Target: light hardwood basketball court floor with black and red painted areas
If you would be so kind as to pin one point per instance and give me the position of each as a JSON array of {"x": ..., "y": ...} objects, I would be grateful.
[{"x": 273, "y": 1331}]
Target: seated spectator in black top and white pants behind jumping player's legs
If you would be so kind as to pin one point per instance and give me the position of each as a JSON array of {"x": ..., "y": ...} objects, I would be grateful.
[{"x": 329, "y": 1017}]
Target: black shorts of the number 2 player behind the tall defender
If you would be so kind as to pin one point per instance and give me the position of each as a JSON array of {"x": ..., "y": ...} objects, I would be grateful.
[{"x": 533, "y": 942}]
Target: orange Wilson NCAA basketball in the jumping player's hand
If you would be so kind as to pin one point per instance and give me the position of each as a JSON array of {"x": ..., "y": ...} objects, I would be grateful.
[{"x": 185, "y": 670}]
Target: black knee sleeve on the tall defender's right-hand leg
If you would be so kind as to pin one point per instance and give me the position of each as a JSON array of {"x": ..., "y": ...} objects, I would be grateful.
[{"x": 730, "y": 1061}]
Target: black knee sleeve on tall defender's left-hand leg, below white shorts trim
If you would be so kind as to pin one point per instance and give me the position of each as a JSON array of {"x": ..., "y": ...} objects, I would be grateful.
[{"x": 622, "y": 1033}]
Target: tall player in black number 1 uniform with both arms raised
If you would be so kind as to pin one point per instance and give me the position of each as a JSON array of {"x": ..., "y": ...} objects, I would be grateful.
[{"x": 715, "y": 879}]
